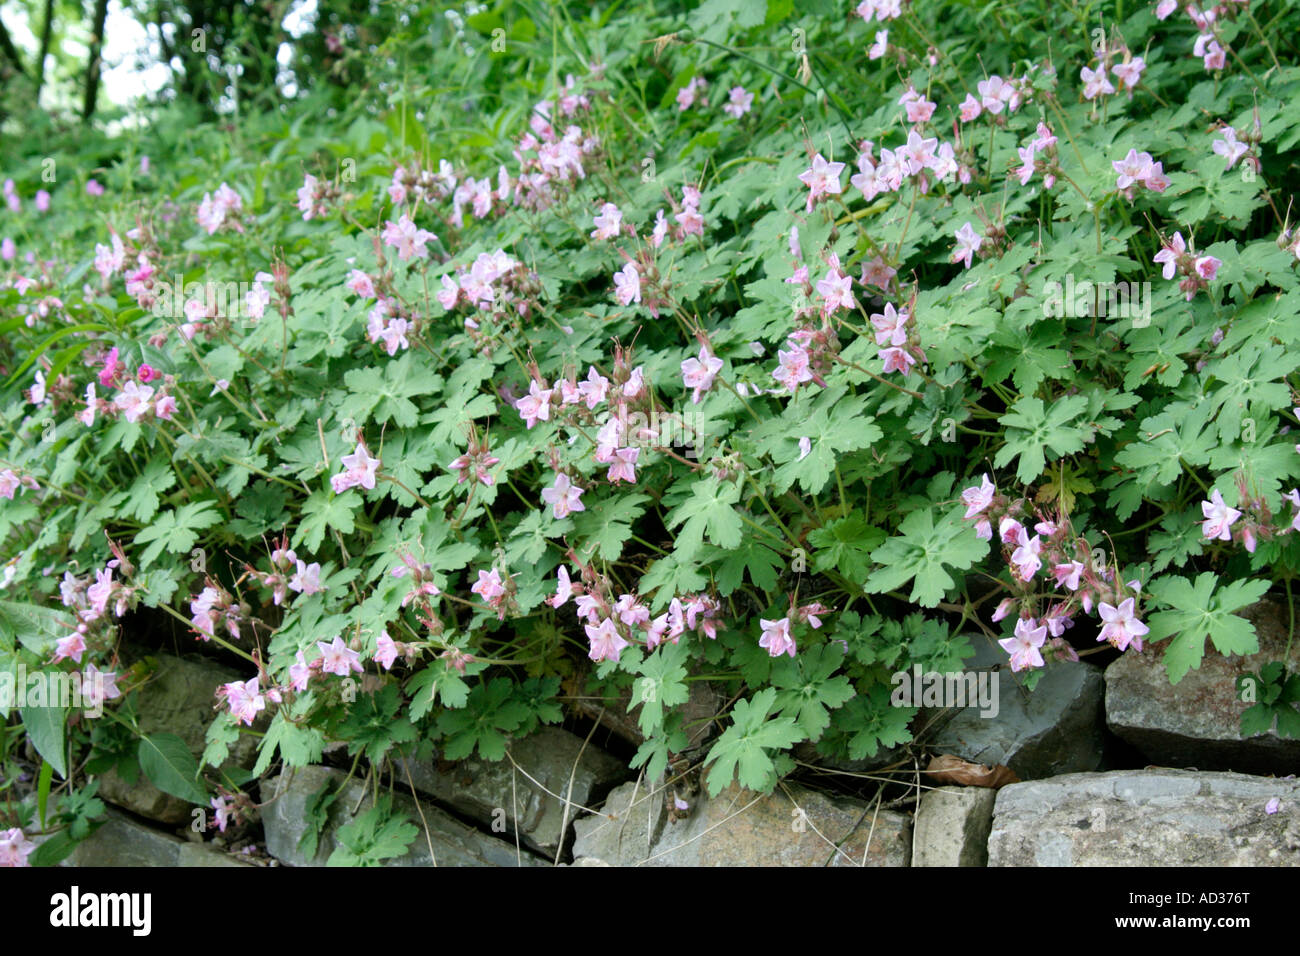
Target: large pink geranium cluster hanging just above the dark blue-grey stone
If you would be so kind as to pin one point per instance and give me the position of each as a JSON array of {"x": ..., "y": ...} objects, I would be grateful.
[{"x": 1056, "y": 551}]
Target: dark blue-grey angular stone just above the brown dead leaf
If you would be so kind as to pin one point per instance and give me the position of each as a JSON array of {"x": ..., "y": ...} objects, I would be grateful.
[{"x": 1055, "y": 730}]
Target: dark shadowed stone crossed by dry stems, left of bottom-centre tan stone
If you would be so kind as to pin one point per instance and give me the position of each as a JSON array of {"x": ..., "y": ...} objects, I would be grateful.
[{"x": 495, "y": 791}]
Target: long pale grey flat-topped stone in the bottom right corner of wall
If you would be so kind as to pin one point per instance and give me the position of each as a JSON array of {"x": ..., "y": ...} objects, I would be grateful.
[{"x": 1147, "y": 819}]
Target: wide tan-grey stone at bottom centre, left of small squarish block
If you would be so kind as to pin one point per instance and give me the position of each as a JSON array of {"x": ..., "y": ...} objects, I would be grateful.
[{"x": 739, "y": 828}]
